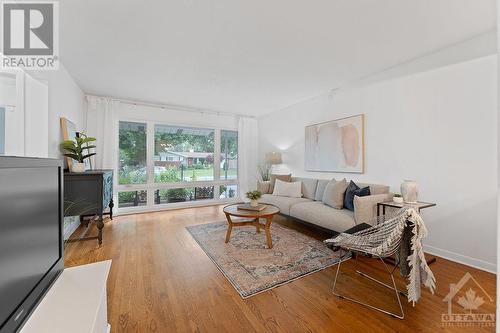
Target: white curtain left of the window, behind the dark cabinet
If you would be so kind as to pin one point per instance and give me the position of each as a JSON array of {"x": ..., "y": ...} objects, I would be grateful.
[{"x": 102, "y": 123}]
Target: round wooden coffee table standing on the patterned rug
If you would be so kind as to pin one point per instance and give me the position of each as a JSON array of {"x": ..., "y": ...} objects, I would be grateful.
[{"x": 253, "y": 219}]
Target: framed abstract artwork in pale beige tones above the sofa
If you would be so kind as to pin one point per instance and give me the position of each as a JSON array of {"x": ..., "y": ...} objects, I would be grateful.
[{"x": 336, "y": 145}]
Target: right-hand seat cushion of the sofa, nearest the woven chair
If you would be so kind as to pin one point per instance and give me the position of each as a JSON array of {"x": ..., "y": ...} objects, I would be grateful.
[{"x": 325, "y": 216}]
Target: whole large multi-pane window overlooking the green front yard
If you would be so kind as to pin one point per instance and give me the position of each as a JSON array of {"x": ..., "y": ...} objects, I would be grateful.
[{"x": 162, "y": 164}]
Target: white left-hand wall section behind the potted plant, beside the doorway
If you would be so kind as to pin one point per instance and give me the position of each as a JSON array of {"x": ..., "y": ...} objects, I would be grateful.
[{"x": 66, "y": 99}]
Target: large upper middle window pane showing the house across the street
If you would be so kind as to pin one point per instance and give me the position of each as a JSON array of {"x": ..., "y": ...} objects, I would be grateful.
[{"x": 183, "y": 154}]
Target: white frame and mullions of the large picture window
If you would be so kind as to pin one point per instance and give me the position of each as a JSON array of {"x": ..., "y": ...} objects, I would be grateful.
[{"x": 150, "y": 186}]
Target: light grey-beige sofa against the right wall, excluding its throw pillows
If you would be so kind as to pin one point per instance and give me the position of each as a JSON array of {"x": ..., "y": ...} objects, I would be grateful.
[{"x": 311, "y": 209}]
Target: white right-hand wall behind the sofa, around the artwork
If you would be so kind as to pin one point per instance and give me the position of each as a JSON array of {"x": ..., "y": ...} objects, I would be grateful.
[{"x": 438, "y": 127}]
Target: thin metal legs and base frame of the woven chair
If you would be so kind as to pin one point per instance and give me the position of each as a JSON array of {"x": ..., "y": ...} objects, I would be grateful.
[{"x": 393, "y": 287}]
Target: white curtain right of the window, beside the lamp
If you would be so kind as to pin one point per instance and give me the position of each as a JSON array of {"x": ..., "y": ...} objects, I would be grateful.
[{"x": 247, "y": 154}]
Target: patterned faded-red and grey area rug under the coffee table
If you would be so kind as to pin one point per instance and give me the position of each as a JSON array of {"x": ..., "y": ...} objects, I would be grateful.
[{"x": 253, "y": 268}]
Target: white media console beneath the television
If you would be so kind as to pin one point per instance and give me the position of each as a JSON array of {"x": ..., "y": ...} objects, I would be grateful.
[{"x": 76, "y": 302}]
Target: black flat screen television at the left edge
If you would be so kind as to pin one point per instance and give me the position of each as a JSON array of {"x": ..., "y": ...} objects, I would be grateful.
[{"x": 31, "y": 235}]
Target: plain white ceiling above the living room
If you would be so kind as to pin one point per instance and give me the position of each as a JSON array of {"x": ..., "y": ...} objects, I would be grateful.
[{"x": 255, "y": 56}]
